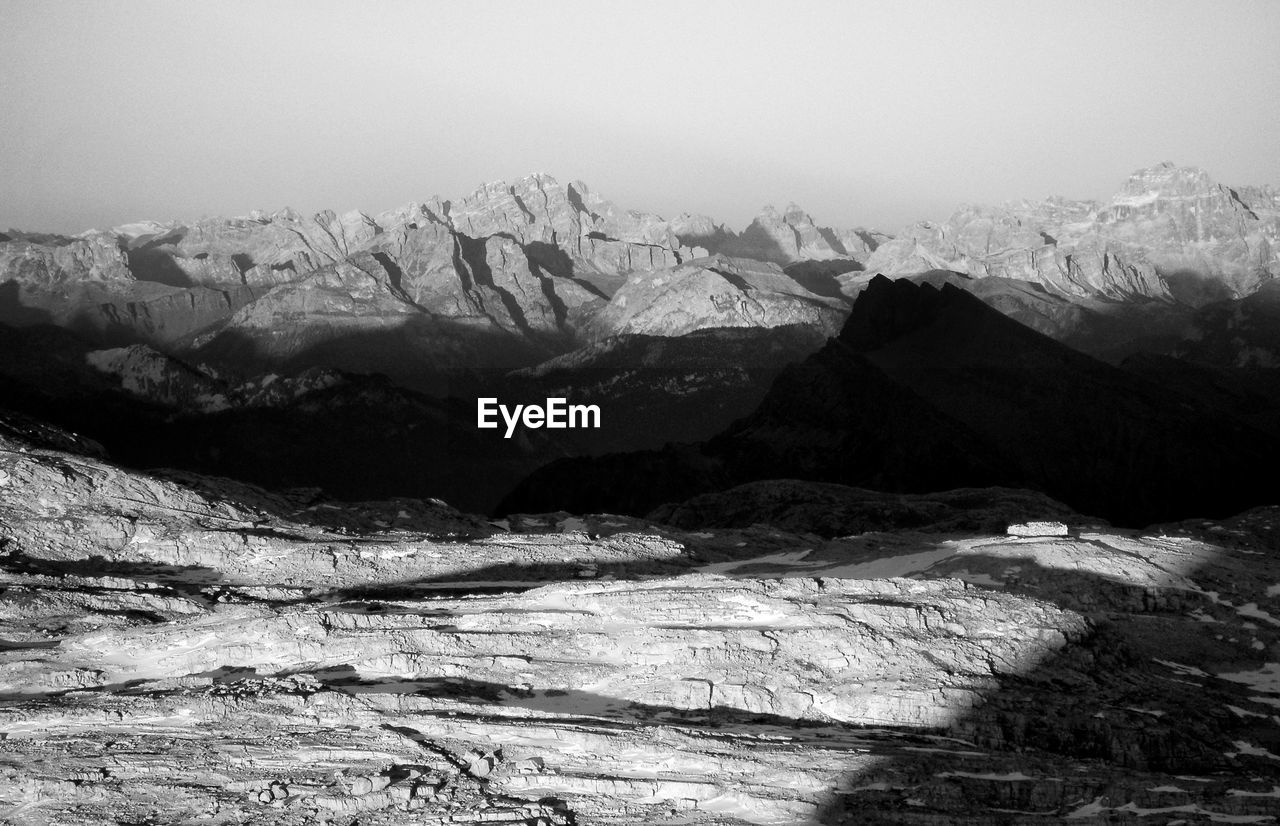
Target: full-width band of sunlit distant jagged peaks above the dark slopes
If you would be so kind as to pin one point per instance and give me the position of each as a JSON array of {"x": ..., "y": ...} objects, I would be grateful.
[{"x": 516, "y": 273}]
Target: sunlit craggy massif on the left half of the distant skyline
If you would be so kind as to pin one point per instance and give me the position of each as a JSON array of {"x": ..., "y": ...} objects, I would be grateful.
[{"x": 531, "y": 261}]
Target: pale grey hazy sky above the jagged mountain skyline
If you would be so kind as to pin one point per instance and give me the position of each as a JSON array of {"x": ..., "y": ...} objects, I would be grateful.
[{"x": 865, "y": 113}]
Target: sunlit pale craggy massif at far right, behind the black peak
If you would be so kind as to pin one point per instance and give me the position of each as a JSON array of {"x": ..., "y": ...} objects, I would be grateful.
[{"x": 1169, "y": 234}]
